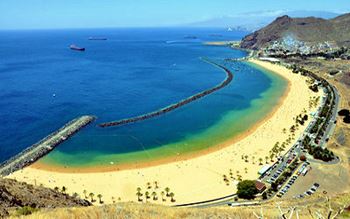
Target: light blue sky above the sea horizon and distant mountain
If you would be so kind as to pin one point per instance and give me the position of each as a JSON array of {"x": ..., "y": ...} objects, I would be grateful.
[{"x": 42, "y": 14}]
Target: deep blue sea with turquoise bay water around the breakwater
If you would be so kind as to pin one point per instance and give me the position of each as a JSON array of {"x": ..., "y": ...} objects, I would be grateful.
[{"x": 44, "y": 84}]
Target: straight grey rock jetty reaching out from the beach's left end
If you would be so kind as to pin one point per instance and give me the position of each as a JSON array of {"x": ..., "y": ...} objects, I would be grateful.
[{"x": 44, "y": 146}]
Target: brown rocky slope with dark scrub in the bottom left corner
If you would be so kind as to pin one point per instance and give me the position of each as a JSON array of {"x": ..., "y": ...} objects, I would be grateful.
[{"x": 17, "y": 195}]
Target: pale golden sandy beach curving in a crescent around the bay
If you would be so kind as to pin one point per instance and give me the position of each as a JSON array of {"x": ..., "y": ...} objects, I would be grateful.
[{"x": 192, "y": 177}]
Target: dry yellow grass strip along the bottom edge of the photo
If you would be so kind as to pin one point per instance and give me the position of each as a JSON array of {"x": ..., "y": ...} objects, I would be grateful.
[{"x": 306, "y": 208}]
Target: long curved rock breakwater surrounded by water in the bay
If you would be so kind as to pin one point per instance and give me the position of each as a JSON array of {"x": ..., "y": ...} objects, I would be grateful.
[{"x": 228, "y": 79}]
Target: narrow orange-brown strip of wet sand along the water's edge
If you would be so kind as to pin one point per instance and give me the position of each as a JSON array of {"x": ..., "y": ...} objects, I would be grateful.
[{"x": 172, "y": 159}]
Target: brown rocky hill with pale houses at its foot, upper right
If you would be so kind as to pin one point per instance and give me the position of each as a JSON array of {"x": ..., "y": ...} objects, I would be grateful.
[{"x": 310, "y": 29}]
